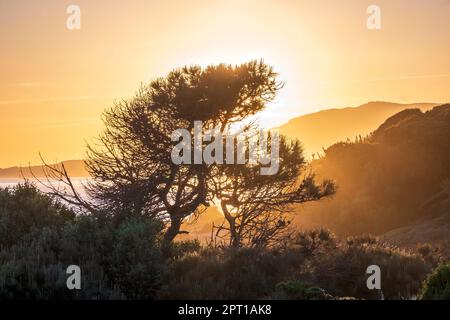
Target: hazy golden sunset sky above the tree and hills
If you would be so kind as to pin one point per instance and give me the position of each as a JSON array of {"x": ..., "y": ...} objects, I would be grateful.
[{"x": 54, "y": 83}]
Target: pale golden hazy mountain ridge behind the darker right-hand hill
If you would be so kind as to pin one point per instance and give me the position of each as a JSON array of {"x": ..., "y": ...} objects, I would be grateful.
[{"x": 322, "y": 129}]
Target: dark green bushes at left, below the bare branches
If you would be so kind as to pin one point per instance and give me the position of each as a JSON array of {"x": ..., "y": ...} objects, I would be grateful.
[{"x": 117, "y": 262}]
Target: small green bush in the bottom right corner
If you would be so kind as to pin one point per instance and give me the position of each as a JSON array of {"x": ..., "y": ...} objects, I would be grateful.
[{"x": 437, "y": 284}]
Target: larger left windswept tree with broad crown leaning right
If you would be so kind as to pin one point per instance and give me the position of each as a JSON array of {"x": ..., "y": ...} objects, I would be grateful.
[{"x": 131, "y": 165}]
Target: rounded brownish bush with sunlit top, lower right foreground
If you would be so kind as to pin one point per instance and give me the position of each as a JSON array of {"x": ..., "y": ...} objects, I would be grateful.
[{"x": 342, "y": 272}]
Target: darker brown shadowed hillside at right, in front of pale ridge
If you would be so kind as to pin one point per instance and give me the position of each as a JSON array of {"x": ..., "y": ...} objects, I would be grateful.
[{"x": 395, "y": 181}]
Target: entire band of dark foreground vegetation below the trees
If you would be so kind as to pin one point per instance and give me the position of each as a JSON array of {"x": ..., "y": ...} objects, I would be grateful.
[{"x": 40, "y": 238}]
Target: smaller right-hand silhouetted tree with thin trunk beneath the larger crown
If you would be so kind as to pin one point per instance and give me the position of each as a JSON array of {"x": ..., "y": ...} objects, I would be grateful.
[{"x": 256, "y": 207}]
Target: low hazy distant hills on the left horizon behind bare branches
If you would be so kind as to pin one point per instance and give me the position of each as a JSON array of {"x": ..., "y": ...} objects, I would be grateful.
[{"x": 75, "y": 168}]
